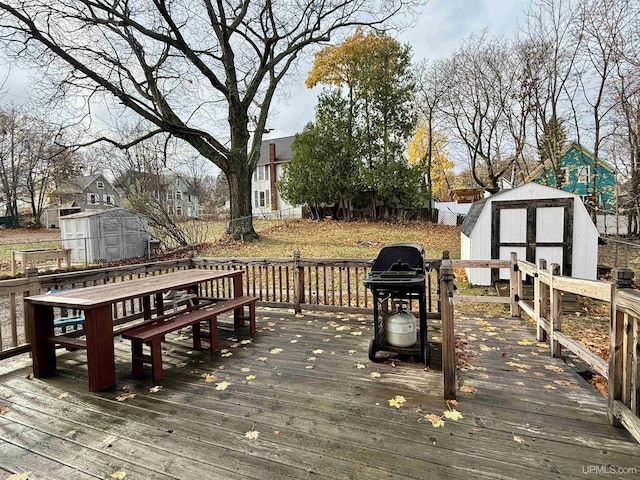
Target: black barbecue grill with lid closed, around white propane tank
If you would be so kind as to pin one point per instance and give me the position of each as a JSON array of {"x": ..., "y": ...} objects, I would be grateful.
[{"x": 398, "y": 276}]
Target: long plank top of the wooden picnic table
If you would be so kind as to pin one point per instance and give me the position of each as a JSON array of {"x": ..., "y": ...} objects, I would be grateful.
[{"x": 109, "y": 293}]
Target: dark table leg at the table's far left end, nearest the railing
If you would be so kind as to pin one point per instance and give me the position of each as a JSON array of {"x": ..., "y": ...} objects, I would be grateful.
[{"x": 40, "y": 320}]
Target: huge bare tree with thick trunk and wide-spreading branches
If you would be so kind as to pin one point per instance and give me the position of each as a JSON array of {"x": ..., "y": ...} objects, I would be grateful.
[{"x": 177, "y": 65}]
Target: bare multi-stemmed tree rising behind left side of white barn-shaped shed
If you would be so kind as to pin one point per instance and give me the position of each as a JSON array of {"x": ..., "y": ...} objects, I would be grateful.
[{"x": 483, "y": 103}]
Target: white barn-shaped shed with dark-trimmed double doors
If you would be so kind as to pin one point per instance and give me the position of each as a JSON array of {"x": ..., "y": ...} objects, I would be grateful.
[{"x": 536, "y": 222}]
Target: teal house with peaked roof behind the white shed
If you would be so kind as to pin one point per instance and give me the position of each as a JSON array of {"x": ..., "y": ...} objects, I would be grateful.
[{"x": 577, "y": 163}]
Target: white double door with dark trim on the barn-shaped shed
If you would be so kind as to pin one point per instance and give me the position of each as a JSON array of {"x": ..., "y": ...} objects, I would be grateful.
[{"x": 534, "y": 229}]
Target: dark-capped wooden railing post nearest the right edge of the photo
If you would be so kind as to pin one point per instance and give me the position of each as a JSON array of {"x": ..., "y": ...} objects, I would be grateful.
[{"x": 618, "y": 325}]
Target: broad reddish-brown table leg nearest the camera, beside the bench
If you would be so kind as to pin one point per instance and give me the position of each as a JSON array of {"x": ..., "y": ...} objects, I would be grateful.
[{"x": 100, "y": 352}]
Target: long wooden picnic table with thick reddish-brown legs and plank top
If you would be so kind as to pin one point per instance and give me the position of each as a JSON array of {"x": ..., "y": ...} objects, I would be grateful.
[{"x": 97, "y": 303}]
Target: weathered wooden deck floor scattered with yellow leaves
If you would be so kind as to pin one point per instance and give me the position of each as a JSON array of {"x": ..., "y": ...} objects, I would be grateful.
[{"x": 303, "y": 388}]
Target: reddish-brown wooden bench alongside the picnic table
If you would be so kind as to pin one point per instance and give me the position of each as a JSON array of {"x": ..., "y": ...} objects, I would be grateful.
[{"x": 153, "y": 333}]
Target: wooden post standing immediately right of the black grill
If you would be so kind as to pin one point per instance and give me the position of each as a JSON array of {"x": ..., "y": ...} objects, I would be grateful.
[{"x": 448, "y": 335}]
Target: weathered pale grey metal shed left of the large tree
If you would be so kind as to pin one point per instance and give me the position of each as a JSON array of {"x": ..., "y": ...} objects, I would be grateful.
[{"x": 104, "y": 235}]
